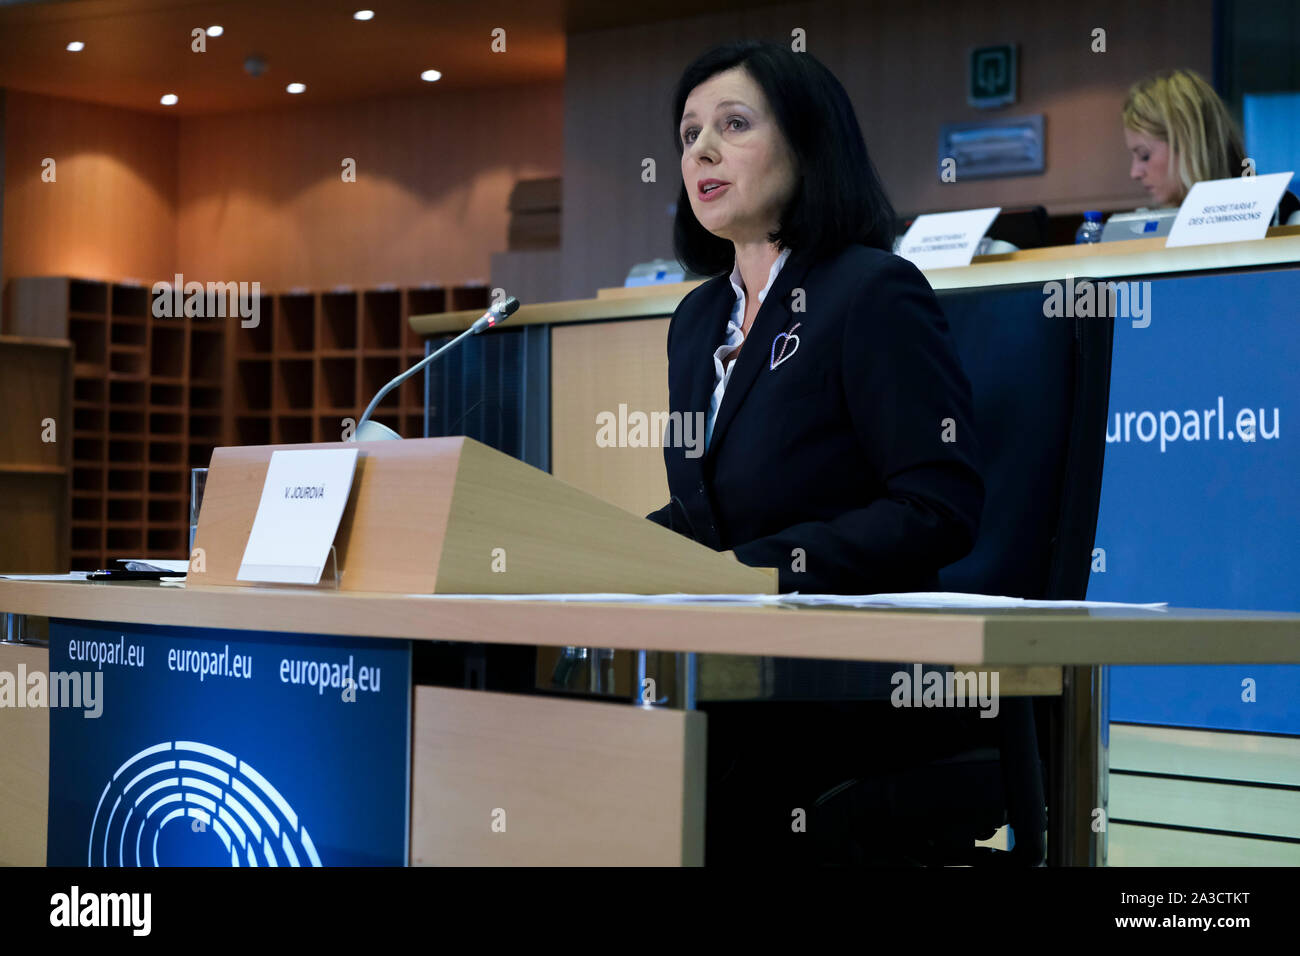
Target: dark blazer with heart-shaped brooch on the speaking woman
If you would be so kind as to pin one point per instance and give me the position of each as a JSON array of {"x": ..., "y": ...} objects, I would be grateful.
[{"x": 850, "y": 438}]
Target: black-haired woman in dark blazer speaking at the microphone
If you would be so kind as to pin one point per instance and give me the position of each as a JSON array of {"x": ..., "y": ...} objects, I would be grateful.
[{"x": 839, "y": 439}]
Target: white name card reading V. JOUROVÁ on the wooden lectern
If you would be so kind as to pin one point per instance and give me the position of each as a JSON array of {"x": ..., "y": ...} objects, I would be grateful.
[{"x": 298, "y": 517}]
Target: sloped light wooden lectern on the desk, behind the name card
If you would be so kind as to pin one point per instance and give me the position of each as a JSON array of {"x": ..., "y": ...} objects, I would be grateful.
[{"x": 452, "y": 516}]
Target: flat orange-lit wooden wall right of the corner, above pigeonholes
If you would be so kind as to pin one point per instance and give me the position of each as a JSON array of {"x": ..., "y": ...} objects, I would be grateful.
[{"x": 263, "y": 197}]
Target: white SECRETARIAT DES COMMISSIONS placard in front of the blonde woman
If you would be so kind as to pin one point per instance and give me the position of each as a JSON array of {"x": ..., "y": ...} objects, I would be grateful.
[{"x": 1228, "y": 210}]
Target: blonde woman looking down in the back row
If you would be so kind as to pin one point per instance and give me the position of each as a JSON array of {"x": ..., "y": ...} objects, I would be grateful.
[{"x": 1180, "y": 133}]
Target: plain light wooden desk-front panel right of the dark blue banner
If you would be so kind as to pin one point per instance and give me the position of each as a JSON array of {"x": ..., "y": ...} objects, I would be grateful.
[{"x": 567, "y": 782}]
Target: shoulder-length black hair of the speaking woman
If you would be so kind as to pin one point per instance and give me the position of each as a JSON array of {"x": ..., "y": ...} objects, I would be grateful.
[{"x": 839, "y": 198}]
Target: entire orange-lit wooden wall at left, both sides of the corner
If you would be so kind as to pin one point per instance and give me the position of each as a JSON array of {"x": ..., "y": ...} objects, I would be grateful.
[{"x": 259, "y": 197}]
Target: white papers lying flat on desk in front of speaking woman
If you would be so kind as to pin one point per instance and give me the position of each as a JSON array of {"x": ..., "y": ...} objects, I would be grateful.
[{"x": 918, "y": 599}]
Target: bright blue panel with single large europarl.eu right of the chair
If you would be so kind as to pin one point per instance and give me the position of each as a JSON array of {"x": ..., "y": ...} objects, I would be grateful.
[{"x": 1199, "y": 496}]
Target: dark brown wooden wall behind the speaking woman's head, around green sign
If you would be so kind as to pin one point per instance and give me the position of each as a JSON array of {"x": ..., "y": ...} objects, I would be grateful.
[{"x": 904, "y": 66}]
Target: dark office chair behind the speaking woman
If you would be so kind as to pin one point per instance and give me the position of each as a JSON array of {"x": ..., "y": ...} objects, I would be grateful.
[{"x": 1041, "y": 392}]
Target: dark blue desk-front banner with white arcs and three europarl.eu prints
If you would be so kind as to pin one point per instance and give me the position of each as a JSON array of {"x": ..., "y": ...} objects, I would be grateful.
[{"x": 266, "y": 751}]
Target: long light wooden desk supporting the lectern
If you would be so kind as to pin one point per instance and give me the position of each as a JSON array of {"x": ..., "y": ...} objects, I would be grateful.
[{"x": 595, "y": 775}]
